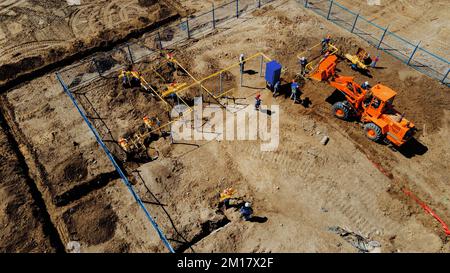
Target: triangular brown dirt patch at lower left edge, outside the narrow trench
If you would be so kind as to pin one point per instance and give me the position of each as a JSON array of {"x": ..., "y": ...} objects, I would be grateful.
[{"x": 21, "y": 220}]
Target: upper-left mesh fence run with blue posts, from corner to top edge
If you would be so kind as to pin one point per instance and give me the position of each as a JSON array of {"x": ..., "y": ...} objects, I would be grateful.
[{"x": 149, "y": 46}]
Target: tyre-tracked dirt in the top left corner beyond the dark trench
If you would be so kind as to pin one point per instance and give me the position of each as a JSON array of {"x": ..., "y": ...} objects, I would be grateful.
[{"x": 36, "y": 33}]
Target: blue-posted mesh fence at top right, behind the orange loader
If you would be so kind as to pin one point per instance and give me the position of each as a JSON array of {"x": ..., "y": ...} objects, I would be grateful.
[{"x": 380, "y": 37}]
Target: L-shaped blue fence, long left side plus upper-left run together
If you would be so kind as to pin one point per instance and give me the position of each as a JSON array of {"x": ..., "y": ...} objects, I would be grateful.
[{"x": 77, "y": 76}]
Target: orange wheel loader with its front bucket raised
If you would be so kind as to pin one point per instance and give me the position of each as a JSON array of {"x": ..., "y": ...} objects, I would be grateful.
[{"x": 372, "y": 106}]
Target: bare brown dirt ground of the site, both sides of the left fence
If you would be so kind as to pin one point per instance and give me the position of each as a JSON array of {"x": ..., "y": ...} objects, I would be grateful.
[{"x": 298, "y": 192}]
